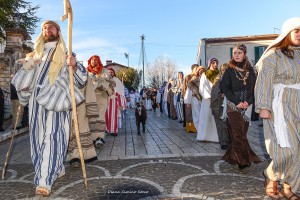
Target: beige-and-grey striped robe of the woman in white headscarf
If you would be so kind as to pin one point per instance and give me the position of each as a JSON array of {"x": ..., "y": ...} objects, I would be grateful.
[{"x": 276, "y": 68}]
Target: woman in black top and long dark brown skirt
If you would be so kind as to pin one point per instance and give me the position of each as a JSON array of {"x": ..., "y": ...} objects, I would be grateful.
[{"x": 237, "y": 84}]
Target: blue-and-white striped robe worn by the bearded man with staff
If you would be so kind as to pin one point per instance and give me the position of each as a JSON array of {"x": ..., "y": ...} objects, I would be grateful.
[{"x": 49, "y": 115}]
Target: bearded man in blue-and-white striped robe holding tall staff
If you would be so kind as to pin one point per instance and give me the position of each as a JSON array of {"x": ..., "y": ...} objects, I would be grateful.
[{"x": 46, "y": 89}]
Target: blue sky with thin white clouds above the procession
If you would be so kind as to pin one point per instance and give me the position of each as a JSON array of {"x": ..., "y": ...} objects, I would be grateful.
[{"x": 173, "y": 28}]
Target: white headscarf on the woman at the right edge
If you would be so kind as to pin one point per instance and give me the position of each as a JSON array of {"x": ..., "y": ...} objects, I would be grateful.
[{"x": 287, "y": 27}]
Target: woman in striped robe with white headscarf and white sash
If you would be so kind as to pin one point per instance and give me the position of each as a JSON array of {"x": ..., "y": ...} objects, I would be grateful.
[{"x": 277, "y": 95}]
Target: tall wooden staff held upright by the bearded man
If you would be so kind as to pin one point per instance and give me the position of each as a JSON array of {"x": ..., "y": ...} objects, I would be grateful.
[{"x": 68, "y": 14}]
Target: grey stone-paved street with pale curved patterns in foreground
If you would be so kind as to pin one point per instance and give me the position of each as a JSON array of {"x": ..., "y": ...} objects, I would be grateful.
[{"x": 163, "y": 163}]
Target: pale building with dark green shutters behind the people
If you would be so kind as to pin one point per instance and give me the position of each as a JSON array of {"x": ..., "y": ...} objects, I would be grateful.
[{"x": 221, "y": 48}]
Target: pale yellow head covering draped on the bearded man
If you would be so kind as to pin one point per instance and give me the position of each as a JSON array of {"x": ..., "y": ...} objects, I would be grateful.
[{"x": 59, "y": 55}]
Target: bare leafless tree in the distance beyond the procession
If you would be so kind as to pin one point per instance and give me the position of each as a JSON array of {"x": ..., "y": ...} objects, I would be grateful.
[{"x": 162, "y": 70}]
